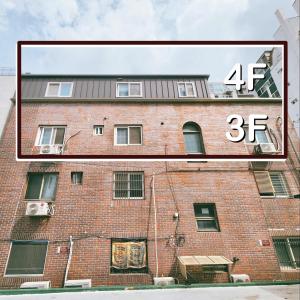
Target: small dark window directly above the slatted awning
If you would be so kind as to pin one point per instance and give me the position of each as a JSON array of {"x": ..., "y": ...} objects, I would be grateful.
[{"x": 206, "y": 217}]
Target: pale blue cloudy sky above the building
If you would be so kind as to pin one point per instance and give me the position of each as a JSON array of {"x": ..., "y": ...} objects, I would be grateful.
[{"x": 136, "y": 20}]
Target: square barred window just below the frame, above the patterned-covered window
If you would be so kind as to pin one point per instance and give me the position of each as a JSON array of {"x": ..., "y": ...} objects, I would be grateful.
[{"x": 128, "y": 185}]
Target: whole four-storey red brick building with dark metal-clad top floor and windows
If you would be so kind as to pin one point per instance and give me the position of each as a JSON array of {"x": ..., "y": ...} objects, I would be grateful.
[{"x": 123, "y": 223}]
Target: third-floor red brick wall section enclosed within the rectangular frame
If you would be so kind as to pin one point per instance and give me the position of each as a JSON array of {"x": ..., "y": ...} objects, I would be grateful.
[{"x": 82, "y": 117}]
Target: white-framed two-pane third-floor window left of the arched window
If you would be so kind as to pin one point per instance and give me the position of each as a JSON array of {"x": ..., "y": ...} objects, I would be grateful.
[{"x": 128, "y": 135}]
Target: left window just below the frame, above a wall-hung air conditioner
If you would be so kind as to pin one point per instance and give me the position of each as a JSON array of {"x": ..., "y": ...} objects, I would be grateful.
[{"x": 41, "y": 186}]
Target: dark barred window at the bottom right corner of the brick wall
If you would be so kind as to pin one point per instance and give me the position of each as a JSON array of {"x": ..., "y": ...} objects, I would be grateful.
[{"x": 288, "y": 252}]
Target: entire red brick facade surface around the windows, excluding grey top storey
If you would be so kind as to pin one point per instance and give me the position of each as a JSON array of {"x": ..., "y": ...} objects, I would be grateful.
[{"x": 92, "y": 217}]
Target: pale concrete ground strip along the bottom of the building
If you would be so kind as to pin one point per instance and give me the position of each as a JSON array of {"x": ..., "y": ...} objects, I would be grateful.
[{"x": 275, "y": 292}]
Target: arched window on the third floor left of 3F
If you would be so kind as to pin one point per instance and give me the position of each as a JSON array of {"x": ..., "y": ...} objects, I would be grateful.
[{"x": 193, "y": 138}]
